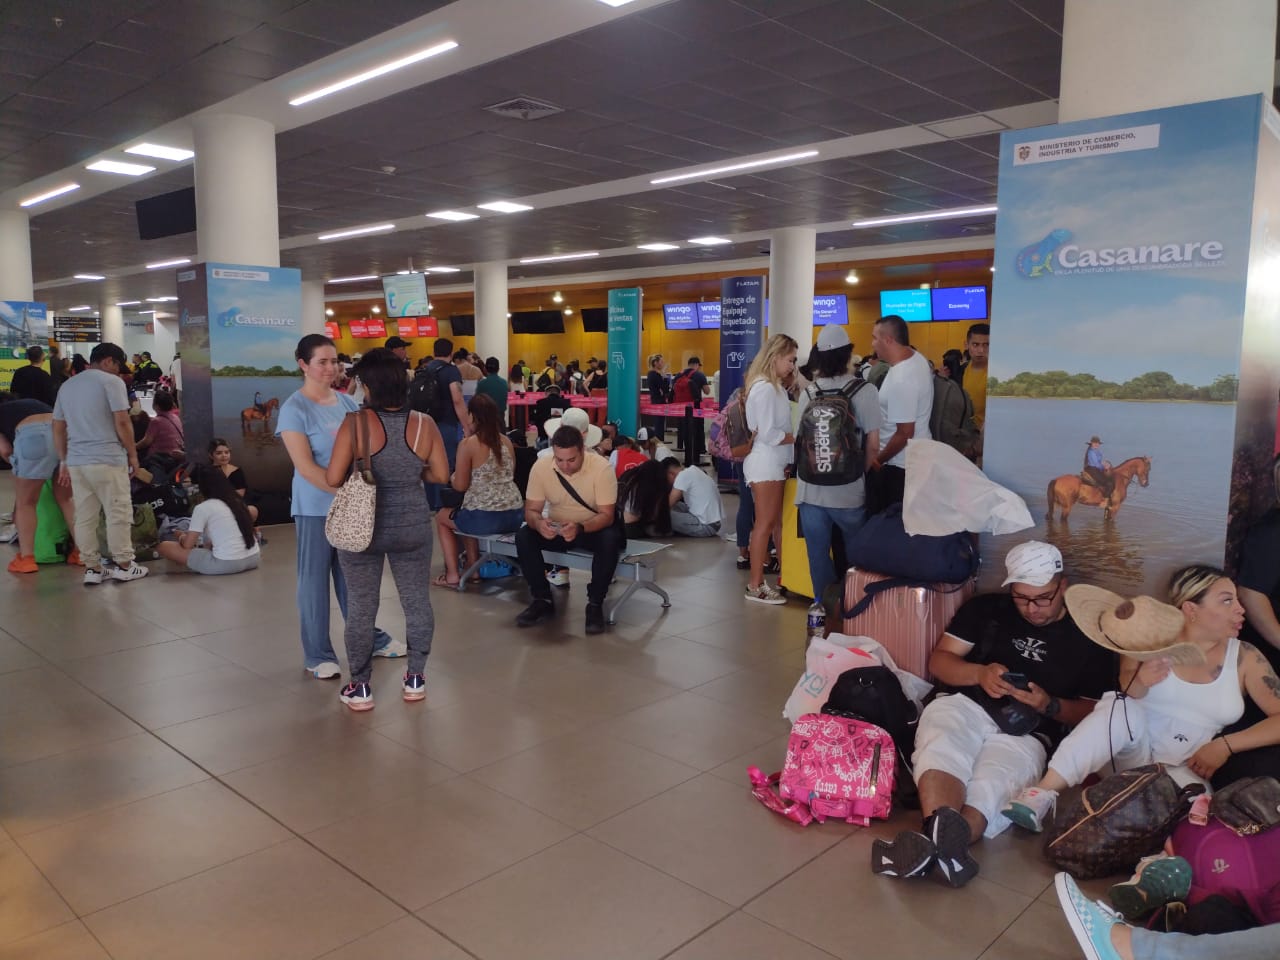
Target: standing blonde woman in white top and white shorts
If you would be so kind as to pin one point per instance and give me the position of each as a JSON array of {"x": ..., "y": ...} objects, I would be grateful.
[{"x": 769, "y": 418}]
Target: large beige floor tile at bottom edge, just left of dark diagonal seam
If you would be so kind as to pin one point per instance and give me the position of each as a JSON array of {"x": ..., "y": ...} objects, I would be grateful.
[{"x": 287, "y": 903}]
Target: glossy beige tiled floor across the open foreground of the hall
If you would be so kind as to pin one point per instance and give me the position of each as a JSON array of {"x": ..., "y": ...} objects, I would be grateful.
[{"x": 173, "y": 785}]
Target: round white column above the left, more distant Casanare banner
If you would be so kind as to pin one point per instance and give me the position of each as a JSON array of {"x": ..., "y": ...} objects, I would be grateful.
[{"x": 236, "y": 208}]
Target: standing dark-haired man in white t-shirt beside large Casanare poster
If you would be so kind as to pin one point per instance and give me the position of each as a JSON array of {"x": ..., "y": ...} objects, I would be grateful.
[{"x": 907, "y": 404}]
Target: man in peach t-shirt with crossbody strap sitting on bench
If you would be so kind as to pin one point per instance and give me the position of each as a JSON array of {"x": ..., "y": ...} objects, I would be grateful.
[{"x": 583, "y": 493}]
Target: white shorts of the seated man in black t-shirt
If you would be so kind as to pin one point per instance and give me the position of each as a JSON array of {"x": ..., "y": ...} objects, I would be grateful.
[{"x": 958, "y": 738}]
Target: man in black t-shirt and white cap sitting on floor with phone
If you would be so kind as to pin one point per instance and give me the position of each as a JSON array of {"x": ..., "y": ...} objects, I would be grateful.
[{"x": 1000, "y": 652}]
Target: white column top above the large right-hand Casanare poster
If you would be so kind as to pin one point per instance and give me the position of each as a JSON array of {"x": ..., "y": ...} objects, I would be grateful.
[{"x": 1149, "y": 54}]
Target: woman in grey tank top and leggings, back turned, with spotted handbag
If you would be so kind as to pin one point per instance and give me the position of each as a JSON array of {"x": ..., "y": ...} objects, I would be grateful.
[{"x": 401, "y": 442}]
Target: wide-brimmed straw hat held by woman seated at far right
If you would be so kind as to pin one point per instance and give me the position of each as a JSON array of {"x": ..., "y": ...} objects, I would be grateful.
[{"x": 1140, "y": 628}]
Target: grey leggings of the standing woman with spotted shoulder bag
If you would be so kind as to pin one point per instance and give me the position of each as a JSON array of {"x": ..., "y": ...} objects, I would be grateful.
[{"x": 409, "y": 551}]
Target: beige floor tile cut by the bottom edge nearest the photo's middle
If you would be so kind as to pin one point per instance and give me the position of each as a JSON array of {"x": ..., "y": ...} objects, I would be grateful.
[{"x": 580, "y": 899}]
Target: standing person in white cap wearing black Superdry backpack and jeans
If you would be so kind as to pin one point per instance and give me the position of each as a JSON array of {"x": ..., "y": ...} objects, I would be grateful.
[{"x": 840, "y": 422}]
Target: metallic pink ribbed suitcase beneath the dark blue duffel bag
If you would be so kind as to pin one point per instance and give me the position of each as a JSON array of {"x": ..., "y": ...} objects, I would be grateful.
[{"x": 906, "y": 620}]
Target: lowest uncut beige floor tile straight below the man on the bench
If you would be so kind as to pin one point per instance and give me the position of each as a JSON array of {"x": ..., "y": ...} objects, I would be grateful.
[{"x": 584, "y": 779}]
